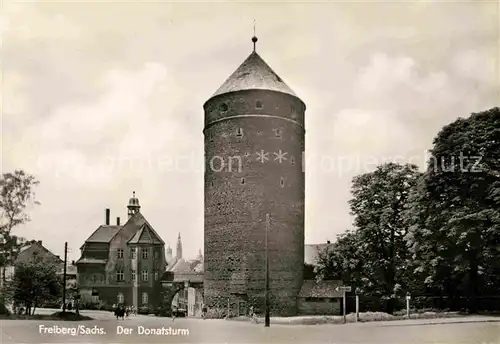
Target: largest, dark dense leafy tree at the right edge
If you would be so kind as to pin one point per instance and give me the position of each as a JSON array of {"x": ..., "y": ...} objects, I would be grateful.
[{"x": 455, "y": 213}]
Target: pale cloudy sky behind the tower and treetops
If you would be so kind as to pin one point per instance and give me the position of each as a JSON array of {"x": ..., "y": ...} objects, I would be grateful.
[{"x": 101, "y": 99}]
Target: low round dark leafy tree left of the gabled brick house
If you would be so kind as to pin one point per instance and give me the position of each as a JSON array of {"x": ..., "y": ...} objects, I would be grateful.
[{"x": 35, "y": 282}]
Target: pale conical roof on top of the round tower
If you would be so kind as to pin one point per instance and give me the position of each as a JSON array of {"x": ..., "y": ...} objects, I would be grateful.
[{"x": 254, "y": 74}]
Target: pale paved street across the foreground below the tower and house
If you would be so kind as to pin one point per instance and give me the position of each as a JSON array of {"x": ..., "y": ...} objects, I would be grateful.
[{"x": 454, "y": 331}]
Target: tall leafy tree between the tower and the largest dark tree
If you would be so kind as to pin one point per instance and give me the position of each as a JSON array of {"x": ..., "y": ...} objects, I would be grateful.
[{"x": 380, "y": 199}]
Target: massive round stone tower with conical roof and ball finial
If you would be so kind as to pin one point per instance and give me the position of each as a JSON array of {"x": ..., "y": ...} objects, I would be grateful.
[{"x": 254, "y": 144}]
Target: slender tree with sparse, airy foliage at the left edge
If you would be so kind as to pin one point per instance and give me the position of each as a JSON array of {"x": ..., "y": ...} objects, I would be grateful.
[{"x": 16, "y": 194}]
